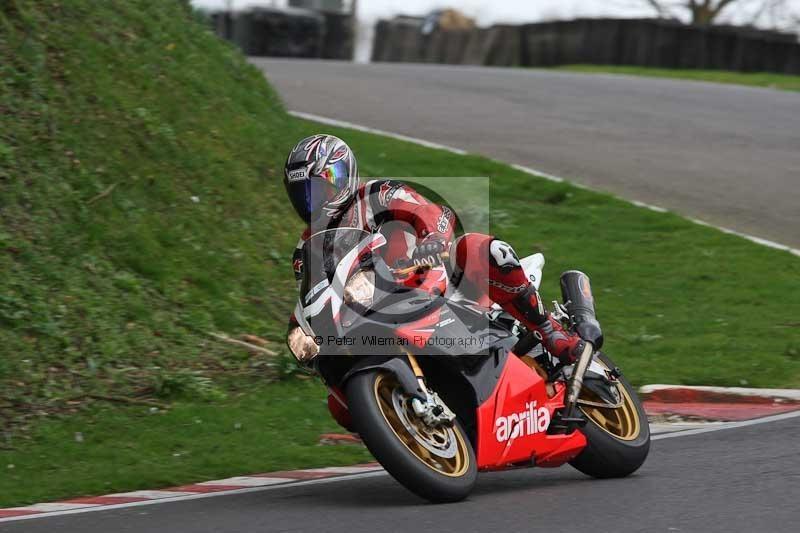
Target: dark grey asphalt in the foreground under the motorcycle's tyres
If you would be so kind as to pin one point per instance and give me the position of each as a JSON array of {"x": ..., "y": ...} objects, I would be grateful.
[{"x": 743, "y": 479}]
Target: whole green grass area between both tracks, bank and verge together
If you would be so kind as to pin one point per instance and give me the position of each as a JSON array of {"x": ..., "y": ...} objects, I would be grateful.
[{"x": 110, "y": 291}]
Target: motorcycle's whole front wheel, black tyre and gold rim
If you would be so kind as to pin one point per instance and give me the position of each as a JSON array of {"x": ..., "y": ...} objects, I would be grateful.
[{"x": 437, "y": 464}]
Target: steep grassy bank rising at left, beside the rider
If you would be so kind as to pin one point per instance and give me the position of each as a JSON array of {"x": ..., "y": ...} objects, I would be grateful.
[{"x": 138, "y": 204}]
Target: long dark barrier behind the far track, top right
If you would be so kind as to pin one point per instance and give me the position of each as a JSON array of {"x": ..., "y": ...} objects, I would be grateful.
[{"x": 641, "y": 42}]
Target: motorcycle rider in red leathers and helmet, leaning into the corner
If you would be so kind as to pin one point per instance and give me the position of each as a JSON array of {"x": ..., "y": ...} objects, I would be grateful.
[{"x": 322, "y": 181}]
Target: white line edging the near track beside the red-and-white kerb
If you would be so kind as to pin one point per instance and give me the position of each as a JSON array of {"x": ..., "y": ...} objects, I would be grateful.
[{"x": 180, "y": 498}]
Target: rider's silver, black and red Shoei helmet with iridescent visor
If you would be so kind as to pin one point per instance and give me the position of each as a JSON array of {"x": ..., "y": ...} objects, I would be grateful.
[{"x": 321, "y": 177}]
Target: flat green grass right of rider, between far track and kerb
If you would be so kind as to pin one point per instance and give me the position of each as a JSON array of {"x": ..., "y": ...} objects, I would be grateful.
[{"x": 679, "y": 302}]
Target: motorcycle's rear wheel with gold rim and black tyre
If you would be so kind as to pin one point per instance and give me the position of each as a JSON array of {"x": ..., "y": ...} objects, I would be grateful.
[{"x": 618, "y": 438}]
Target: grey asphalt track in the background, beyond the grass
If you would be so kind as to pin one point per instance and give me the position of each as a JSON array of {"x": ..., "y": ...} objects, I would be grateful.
[{"x": 728, "y": 155}]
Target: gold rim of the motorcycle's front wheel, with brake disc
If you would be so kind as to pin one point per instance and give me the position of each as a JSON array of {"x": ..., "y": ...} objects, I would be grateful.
[{"x": 443, "y": 449}]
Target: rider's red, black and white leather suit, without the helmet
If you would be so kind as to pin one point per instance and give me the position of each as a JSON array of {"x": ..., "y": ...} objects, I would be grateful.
[{"x": 415, "y": 228}]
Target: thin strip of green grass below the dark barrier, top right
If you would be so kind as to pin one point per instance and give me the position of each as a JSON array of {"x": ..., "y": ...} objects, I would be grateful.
[{"x": 769, "y": 80}]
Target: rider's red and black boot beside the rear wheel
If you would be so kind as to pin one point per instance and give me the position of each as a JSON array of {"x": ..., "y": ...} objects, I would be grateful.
[{"x": 528, "y": 309}]
